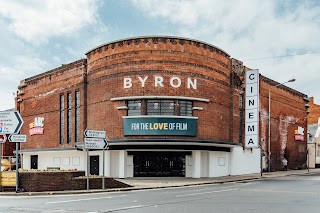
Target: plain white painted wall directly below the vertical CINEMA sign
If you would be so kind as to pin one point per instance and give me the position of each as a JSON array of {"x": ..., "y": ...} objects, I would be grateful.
[{"x": 245, "y": 161}]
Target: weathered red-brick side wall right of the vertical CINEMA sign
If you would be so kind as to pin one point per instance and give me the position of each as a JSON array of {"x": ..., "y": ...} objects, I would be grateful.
[{"x": 287, "y": 113}]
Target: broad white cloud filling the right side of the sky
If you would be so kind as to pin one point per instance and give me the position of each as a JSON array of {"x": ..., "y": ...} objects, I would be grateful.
[{"x": 252, "y": 29}]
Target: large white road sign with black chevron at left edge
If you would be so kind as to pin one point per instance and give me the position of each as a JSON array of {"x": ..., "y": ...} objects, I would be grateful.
[{"x": 10, "y": 122}]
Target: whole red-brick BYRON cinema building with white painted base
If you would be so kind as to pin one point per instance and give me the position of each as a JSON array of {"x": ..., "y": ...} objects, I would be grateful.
[{"x": 170, "y": 106}]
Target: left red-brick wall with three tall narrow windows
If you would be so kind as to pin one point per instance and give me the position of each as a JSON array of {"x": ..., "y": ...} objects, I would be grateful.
[{"x": 41, "y": 98}]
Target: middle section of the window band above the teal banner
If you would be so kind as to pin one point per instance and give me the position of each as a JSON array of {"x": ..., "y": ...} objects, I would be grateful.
[{"x": 160, "y": 107}]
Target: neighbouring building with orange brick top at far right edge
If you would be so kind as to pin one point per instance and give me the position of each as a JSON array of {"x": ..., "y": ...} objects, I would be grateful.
[{"x": 314, "y": 134}]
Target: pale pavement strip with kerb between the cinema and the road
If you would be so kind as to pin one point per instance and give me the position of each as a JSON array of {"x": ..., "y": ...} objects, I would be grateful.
[{"x": 166, "y": 182}]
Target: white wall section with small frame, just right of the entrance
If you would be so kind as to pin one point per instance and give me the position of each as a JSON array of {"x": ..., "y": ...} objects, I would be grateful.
[{"x": 218, "y": 164}]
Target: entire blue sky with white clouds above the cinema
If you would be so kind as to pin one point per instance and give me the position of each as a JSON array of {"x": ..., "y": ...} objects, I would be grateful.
[{"x": 281, "y": 38}]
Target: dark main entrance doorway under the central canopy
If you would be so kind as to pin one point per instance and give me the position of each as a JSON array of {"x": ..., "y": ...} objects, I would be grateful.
[{"x": 159, "y": 164}]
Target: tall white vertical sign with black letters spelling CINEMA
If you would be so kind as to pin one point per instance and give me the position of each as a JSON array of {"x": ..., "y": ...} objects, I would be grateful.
[{"x": 252, "y": 109}]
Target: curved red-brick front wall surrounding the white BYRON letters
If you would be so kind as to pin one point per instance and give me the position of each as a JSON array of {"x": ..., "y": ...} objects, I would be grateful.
[{"x": 168, "y": 57}]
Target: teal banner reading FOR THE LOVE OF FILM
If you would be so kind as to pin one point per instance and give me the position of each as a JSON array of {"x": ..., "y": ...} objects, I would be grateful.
[{"x": 160, "y": 126}]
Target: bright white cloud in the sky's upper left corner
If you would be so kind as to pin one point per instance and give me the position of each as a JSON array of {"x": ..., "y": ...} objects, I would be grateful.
[{"x": 36, "y": 21}]
